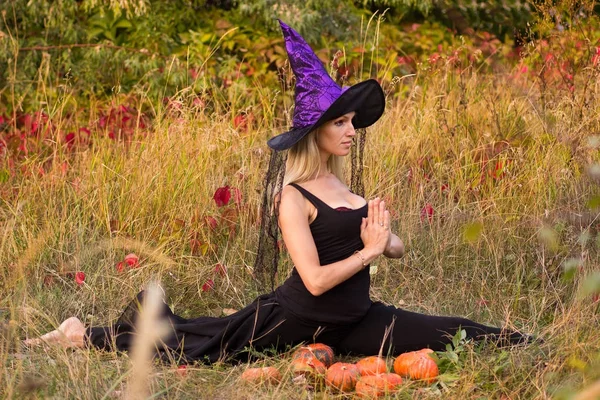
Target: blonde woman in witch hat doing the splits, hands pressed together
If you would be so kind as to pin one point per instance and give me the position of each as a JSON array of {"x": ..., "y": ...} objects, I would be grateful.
[{"x": 331, "y": 234}]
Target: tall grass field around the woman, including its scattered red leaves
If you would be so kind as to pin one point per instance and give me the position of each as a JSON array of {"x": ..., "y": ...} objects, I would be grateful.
[{"x": 491, "y": 175}]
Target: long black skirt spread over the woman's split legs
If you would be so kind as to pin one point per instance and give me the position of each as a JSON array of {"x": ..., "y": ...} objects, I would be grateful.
[{"x": 264, "y": 324}]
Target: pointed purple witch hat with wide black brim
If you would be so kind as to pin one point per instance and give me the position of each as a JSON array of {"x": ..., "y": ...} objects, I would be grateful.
[{"x": 319, "y": 99}]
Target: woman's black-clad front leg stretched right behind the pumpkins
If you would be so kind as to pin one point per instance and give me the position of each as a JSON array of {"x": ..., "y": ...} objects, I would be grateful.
[{"x": 412, "y": 331}]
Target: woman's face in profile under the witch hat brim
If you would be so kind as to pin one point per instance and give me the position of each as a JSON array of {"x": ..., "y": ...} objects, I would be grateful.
[{"x": 335, "y": 136}]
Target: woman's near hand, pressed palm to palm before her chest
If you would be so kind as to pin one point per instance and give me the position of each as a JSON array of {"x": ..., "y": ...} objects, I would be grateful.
[{"x": 375, "y": 229}]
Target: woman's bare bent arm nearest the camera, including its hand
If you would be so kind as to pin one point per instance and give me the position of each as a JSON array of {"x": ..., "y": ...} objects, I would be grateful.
[{"x": 318, "y": 279}]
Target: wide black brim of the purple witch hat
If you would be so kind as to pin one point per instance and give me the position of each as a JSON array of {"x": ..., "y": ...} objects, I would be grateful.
[{"x": 365, "y": 98}]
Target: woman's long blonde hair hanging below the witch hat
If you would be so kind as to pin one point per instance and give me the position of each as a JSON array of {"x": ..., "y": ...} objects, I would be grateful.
[{"x": 303, "y": 161}]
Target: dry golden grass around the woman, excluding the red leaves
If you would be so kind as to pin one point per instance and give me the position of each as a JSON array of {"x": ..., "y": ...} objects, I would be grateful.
[{"x": 451, "y": 129}]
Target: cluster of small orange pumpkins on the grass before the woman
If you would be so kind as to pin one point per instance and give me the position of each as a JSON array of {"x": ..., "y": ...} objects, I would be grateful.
[{"x": 368, "y": 377}]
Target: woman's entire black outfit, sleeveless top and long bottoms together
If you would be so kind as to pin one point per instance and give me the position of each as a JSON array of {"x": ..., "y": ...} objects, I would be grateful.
[{"x": 343, "y": 317}]
